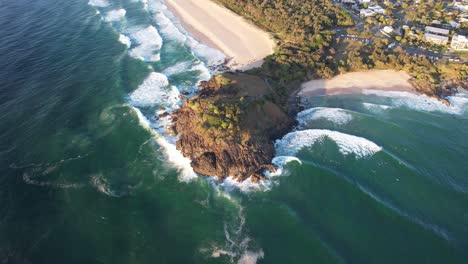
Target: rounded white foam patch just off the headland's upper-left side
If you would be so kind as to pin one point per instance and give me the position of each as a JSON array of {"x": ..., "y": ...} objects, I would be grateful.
[{"x": 155, "y": 90}]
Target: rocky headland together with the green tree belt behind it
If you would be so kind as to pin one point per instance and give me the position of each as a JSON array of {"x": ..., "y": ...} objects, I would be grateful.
[{"x": 229, "y": 128}]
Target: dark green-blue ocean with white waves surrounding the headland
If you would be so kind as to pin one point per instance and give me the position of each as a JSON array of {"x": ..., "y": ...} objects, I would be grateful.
[{"x": 89, "y": 176}]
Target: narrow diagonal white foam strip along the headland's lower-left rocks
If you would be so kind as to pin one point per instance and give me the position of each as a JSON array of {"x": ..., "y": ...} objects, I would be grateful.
[{"x": 173, "y": 156}]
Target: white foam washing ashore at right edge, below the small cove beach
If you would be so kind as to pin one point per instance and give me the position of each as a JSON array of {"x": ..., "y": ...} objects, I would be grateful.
[{"x": 422, "y": 102}]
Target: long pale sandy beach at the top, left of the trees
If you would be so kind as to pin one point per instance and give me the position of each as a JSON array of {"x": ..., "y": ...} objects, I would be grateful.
[{"x": 219, "y": 27}]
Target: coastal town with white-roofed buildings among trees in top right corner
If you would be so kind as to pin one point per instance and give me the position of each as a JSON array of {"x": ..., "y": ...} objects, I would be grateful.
[{"x": 439, "y": 33}]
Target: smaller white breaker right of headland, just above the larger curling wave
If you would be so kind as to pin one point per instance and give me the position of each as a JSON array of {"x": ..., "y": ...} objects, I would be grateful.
[{"x": 335, "y": 115}]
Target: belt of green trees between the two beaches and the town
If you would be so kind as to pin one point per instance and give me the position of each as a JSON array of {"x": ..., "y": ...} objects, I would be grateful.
[{"x": 309, "y": 49}]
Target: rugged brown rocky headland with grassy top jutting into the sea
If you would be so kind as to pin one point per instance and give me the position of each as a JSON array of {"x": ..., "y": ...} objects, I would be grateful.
[{"x": 230, "y": 127}]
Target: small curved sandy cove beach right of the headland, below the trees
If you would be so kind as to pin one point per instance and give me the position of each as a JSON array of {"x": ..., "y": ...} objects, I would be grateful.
[{"x": 355, "y": 82}]
